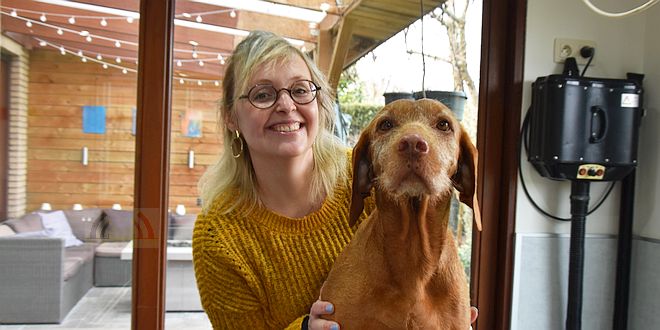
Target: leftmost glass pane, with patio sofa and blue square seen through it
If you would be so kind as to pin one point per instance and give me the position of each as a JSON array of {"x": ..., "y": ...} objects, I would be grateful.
[{"x": 68, "y": 147}]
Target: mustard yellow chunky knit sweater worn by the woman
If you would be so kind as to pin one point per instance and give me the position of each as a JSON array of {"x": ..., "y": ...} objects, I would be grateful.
[{"x": 264, "y": 271}]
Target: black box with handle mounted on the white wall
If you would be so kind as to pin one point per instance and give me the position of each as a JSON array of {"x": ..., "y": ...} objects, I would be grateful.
[{"x": 584, "y": 128}]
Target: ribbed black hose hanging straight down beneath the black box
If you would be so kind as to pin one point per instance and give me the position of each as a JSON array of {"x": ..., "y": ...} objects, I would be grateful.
[{"x": 579, "y": 209}]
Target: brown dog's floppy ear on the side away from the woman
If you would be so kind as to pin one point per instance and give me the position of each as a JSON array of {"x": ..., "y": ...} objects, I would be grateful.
[{"x": 465, "y": 179}]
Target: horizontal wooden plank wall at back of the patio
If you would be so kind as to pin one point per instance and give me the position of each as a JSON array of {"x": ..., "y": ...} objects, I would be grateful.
[{"x": 58, "y": 88}]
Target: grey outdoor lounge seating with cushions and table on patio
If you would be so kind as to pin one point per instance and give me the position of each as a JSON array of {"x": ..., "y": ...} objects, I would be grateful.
[{"x": 51, "y": 260}]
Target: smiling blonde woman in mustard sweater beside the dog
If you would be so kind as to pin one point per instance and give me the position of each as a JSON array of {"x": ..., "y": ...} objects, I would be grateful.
[{"x": 275, "y": 205}]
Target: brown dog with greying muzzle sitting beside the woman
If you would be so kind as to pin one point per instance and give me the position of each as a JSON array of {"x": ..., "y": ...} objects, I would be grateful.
[{"x": 401, "y": 270}]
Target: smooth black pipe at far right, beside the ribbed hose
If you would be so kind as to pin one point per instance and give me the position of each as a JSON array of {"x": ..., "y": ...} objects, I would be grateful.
[{"x": 622, "y": 288}]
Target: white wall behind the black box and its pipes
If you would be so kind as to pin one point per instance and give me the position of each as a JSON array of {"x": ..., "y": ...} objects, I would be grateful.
[{"x": 541, "y": 258}]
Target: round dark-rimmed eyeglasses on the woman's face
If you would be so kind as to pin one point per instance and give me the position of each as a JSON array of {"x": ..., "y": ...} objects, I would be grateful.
[{"x": 264, "y": 96}]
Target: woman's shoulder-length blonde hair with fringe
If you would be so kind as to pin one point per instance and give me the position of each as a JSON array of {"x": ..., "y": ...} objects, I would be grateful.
[{"x": 228, "y": 173}]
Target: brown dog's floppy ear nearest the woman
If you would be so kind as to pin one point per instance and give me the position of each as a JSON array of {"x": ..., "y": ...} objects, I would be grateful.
[{"x": 362, "y": 176}]
